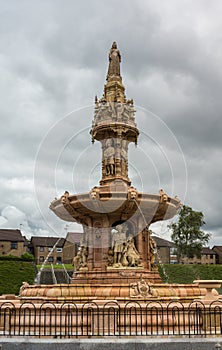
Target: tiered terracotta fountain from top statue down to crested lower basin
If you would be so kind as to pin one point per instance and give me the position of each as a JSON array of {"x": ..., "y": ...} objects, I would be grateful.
[{"x": 117, "y": 256}]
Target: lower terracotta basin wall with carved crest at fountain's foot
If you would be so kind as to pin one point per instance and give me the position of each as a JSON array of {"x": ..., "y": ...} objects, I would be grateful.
[{"x": 85, "y": 292}]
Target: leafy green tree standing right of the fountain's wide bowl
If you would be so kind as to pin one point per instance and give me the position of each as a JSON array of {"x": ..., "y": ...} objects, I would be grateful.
[{"x": 187, "y": 236}]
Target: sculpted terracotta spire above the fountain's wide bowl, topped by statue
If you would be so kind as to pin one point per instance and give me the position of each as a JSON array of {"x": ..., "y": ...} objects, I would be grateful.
[{"x": 114, "y": 123}]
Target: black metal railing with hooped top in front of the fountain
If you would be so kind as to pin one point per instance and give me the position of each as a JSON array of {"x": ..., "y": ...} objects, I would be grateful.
[{"x": 111, "y": 319}]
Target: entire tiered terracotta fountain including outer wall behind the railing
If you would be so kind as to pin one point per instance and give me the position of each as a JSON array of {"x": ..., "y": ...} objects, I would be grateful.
[{"x": 116, "y": 288}]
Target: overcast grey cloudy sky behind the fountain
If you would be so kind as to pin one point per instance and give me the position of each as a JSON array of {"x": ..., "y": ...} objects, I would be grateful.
[{"x": 54, "y": 59}]
